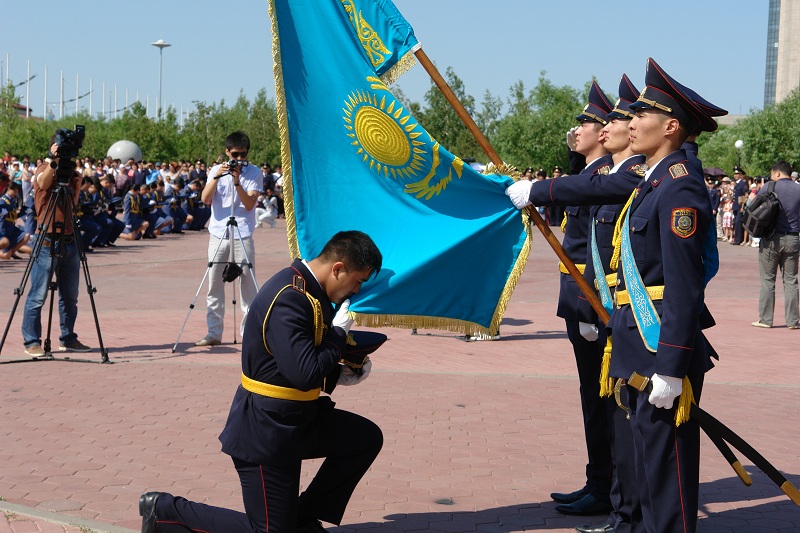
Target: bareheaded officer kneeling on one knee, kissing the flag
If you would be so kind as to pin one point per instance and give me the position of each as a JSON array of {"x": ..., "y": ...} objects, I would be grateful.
[{"x": 292, "y": 347}]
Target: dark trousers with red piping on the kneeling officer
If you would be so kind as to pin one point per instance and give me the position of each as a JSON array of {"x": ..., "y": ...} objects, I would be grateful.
[{"x": 349, "y": 443}]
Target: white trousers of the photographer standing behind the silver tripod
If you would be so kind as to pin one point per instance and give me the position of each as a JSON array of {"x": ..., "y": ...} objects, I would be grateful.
[{"x": 216, "y": 286}]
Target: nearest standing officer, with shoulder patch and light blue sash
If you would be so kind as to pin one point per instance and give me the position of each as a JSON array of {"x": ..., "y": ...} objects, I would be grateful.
[{"x": 659, "y": 353}]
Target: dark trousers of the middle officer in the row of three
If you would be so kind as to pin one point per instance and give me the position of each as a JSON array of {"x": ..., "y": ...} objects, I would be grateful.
[{"x": 626, "y": 516}]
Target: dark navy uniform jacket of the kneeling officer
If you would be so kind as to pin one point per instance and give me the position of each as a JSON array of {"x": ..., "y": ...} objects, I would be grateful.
[{"x": 279, "y": 349}]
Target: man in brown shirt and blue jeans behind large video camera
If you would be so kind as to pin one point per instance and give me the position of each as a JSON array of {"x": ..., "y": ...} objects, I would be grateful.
[{"x": 59, "y": 245}]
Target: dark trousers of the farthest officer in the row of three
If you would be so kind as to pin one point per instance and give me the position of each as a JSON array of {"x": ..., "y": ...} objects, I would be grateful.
[{"x": 588, "y": 357}]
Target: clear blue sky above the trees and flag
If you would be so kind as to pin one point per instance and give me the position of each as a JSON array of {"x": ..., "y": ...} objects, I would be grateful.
[{"x": 220, "y": 49}]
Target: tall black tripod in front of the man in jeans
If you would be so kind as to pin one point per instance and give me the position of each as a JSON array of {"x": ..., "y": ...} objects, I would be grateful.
[{"x": 52, "y": 234}]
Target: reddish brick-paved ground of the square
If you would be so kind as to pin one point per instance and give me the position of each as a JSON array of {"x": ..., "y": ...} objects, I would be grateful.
[{"x": 477, "y": 434}]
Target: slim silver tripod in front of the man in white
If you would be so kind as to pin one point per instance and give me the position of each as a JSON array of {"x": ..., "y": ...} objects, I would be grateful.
[{"x": 232, "y": 271}]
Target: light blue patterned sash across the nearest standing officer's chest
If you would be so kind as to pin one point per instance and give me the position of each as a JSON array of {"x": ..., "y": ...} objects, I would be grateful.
[{"x": 644, "y": 312}]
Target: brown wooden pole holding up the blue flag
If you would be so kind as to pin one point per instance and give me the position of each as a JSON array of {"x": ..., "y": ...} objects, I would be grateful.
[{"x": 462, "y": 113}]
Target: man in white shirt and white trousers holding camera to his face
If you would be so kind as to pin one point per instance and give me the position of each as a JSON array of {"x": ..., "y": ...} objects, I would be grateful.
[{"x": 232, "y": 191}]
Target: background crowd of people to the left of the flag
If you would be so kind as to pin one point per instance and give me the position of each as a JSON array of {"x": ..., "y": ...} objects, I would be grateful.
[{"x": 130, "y": 200}]
